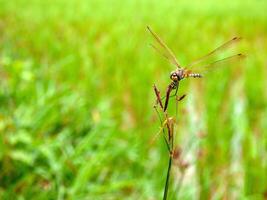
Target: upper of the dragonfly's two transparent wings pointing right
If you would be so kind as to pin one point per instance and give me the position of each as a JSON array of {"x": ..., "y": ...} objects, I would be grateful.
[{"x": 218, "y": 49}]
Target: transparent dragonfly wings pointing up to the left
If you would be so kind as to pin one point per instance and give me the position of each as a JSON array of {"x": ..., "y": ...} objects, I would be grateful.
[{"x": 164, "y": 49}]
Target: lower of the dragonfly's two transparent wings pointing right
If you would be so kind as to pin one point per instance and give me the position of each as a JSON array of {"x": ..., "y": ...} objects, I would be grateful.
[{"x": 213, "y": 65}]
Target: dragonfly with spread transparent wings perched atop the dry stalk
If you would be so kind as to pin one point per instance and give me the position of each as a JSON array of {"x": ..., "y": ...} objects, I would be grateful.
[{"x": 183, "y": 72}]
